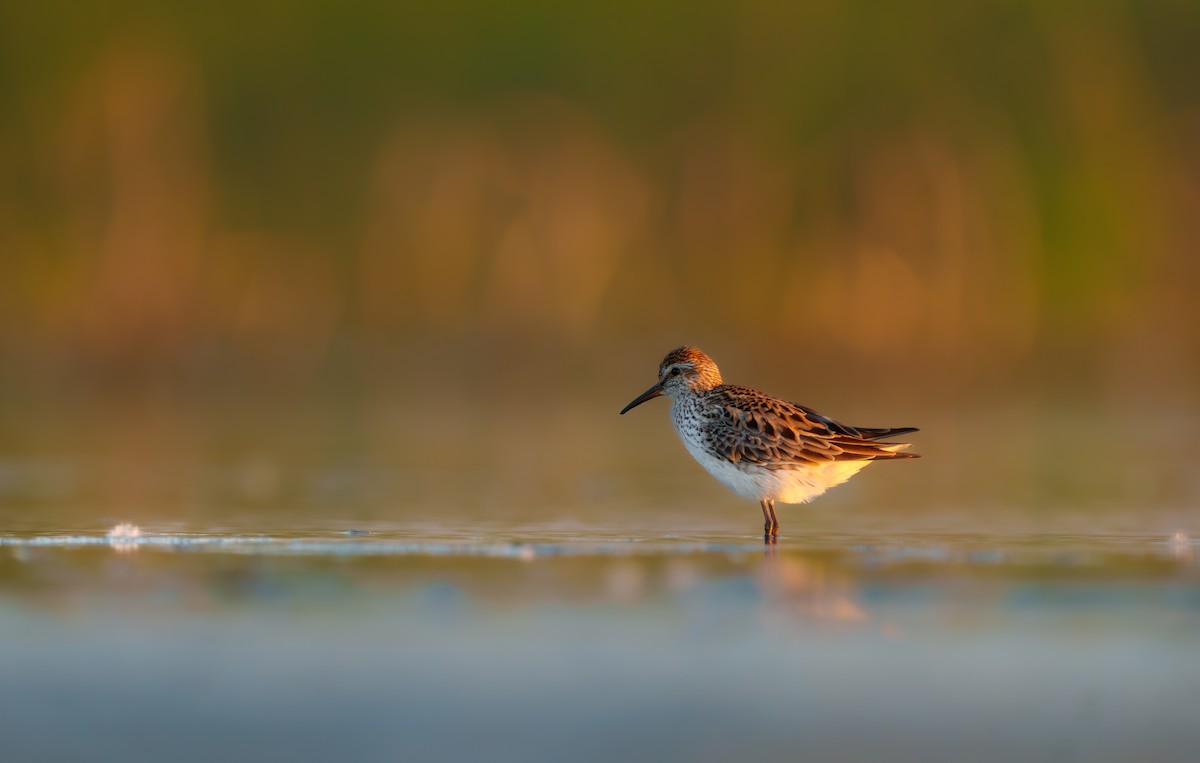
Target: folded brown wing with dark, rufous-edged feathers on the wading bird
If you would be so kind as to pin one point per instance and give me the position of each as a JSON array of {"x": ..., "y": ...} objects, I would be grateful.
[{"x": 749, "y": 426}]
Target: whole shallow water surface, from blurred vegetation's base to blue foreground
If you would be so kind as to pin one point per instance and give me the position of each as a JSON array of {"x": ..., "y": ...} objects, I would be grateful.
[{"x": 379, "y": 586}]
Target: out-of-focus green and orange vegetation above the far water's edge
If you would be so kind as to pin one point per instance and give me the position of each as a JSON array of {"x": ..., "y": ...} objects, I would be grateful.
[{"x": 962, "y": 191}]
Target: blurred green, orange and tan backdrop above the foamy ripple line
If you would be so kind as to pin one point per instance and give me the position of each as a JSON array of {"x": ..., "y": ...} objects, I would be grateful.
[{"x": 385, "y": 260}]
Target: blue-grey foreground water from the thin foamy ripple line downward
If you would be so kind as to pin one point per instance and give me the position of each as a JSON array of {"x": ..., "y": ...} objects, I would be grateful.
[{"x": 543, "y": 642}]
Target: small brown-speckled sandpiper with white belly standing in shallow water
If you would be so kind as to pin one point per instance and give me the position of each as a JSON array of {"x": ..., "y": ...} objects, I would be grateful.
[{"x": 761, "y": 447}]
